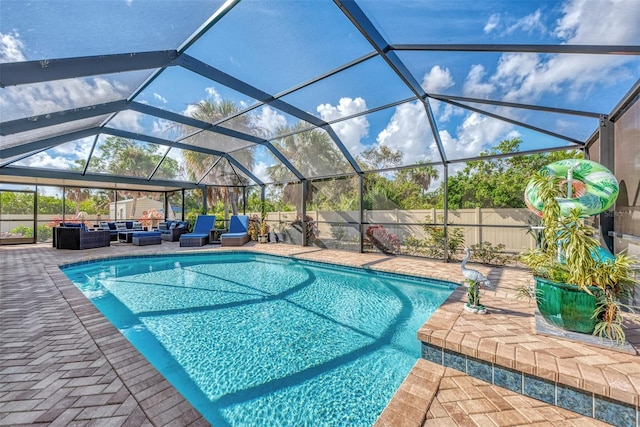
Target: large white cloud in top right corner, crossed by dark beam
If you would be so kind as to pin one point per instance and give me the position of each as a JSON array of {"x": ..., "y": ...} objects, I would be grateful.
[{"x": 527, "y": 77}]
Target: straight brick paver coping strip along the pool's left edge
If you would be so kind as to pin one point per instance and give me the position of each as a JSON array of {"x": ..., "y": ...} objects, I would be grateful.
[{"x": 160, "y": 402}]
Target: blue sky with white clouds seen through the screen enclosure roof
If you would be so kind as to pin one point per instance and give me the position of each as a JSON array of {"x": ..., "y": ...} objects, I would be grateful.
[{"x": 277, "y": 45}]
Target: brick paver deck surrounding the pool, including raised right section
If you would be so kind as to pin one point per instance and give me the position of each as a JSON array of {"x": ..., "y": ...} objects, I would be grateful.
[{"x": 63, "y": 363}]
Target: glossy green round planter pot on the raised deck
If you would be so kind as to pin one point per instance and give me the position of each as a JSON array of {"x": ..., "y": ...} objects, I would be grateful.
[{"x": 565, "y": 306}]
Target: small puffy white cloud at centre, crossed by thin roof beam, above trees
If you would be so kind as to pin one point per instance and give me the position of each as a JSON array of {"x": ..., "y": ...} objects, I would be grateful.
[{"x": 352, "y": 131}]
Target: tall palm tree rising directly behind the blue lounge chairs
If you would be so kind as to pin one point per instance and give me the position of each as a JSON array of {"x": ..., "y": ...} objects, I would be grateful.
[{"x": 197, "y": 164}]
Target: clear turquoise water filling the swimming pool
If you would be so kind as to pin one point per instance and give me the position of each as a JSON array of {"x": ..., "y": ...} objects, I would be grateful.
[{"x": 259, "y": 340}]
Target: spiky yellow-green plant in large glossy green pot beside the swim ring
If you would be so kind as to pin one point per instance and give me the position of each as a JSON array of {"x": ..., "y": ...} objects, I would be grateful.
[{"x": 577, "y": 287}]
